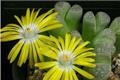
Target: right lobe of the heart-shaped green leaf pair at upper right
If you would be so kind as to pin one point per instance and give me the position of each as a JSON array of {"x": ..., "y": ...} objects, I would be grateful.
[{"x": 102, "y": 20}]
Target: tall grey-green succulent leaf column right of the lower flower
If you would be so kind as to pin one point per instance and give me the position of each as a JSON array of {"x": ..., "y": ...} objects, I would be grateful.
[{"x": 104, "y": 48}]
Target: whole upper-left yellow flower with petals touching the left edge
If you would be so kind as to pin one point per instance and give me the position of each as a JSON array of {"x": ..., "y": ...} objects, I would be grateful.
[{"x": 29, "y": 32}]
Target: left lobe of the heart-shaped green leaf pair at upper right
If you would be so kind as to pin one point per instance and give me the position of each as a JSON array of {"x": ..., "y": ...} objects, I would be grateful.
[{"x": 89, "y": 26}]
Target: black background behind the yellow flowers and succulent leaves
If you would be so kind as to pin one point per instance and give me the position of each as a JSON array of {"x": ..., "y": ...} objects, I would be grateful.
[{"x": 11, "y": 8}]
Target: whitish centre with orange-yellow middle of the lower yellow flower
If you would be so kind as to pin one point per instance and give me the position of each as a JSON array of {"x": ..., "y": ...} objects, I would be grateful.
[{"x": 65, "y": 59}]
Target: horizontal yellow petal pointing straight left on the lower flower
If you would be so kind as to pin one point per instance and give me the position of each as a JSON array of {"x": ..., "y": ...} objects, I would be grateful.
[{"x": 44, "y": 65}]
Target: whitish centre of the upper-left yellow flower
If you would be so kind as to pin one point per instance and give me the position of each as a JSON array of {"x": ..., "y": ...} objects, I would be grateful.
[{"x": 29, "y": 32}]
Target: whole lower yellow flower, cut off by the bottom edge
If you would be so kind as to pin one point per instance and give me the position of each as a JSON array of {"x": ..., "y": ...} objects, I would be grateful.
[{"x": 67, "y": 57}]
